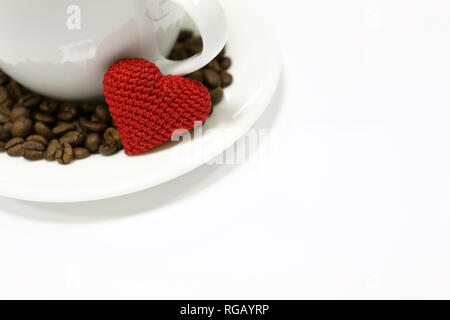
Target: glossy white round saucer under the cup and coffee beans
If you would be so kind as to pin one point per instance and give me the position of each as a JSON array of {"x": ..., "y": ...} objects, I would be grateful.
[{"x": 256, "y": 69}]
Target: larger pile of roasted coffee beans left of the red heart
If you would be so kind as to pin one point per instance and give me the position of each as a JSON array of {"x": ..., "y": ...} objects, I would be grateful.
[{"x": 37, "y": 128}]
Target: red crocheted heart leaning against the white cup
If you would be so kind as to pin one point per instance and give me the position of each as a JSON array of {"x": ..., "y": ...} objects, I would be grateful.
[{"x": 148, "y": 107}]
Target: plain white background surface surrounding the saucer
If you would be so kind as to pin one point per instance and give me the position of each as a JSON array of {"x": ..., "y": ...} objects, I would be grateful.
[{"x": 349, "y": 198}]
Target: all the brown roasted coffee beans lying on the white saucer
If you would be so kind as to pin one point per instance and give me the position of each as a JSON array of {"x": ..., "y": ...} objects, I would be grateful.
[{"x": 37, "y": 128}]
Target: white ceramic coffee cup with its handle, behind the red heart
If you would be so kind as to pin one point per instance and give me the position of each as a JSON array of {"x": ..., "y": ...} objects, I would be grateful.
[{"x": 62, "y": 48}]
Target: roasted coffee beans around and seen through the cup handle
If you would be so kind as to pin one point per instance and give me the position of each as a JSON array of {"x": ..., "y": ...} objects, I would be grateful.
[{"x": 215, "y": 75}]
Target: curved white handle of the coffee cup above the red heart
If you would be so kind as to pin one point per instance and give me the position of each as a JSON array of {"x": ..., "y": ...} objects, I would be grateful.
[{"x": 209, "y": 18}]
